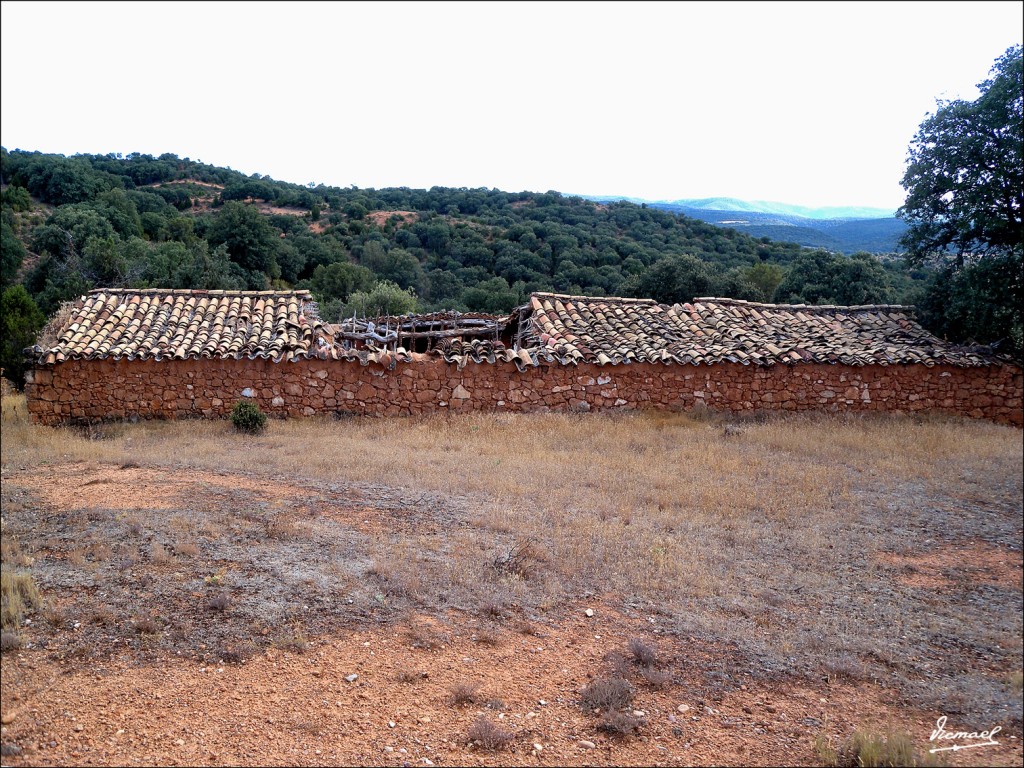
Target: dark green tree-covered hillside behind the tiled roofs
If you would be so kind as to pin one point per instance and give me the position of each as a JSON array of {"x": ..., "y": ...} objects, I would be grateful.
[{"x": 71, "y": 224}]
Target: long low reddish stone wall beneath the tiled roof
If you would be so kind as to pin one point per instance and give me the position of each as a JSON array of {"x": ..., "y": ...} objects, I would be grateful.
[{"x": 79, "y": 392}]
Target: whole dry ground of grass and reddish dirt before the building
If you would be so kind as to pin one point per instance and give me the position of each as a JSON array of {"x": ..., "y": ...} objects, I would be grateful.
[{"x": 202, "y": 608}]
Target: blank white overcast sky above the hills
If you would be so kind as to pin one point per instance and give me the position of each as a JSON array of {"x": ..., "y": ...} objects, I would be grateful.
[{"x": 807, "y": 103}]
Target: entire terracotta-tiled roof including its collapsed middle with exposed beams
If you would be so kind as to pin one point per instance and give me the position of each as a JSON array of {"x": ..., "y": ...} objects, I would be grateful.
[{"x": 161, "y": 325}]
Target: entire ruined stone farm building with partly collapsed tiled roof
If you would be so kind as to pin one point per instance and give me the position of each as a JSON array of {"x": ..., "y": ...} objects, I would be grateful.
[{"x": 176, "y": 355}]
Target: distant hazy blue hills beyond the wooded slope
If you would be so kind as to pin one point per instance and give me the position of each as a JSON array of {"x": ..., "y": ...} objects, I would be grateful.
[{"x": 845, "y": 230}]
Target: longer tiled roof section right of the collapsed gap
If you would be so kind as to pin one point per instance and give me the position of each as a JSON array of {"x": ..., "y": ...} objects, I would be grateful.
[{"x": 581, "y": 329}]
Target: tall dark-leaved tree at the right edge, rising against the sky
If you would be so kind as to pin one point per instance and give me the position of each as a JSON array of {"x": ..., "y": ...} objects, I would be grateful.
[{"x": 965, "y": 183}]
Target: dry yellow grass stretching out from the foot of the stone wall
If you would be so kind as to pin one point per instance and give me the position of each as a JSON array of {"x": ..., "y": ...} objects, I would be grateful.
[{"x": 654, "y": 503}]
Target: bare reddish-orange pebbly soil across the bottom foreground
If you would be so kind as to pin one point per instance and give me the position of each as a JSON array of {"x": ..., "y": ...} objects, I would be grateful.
[{"x": 288, "y": 709}]
